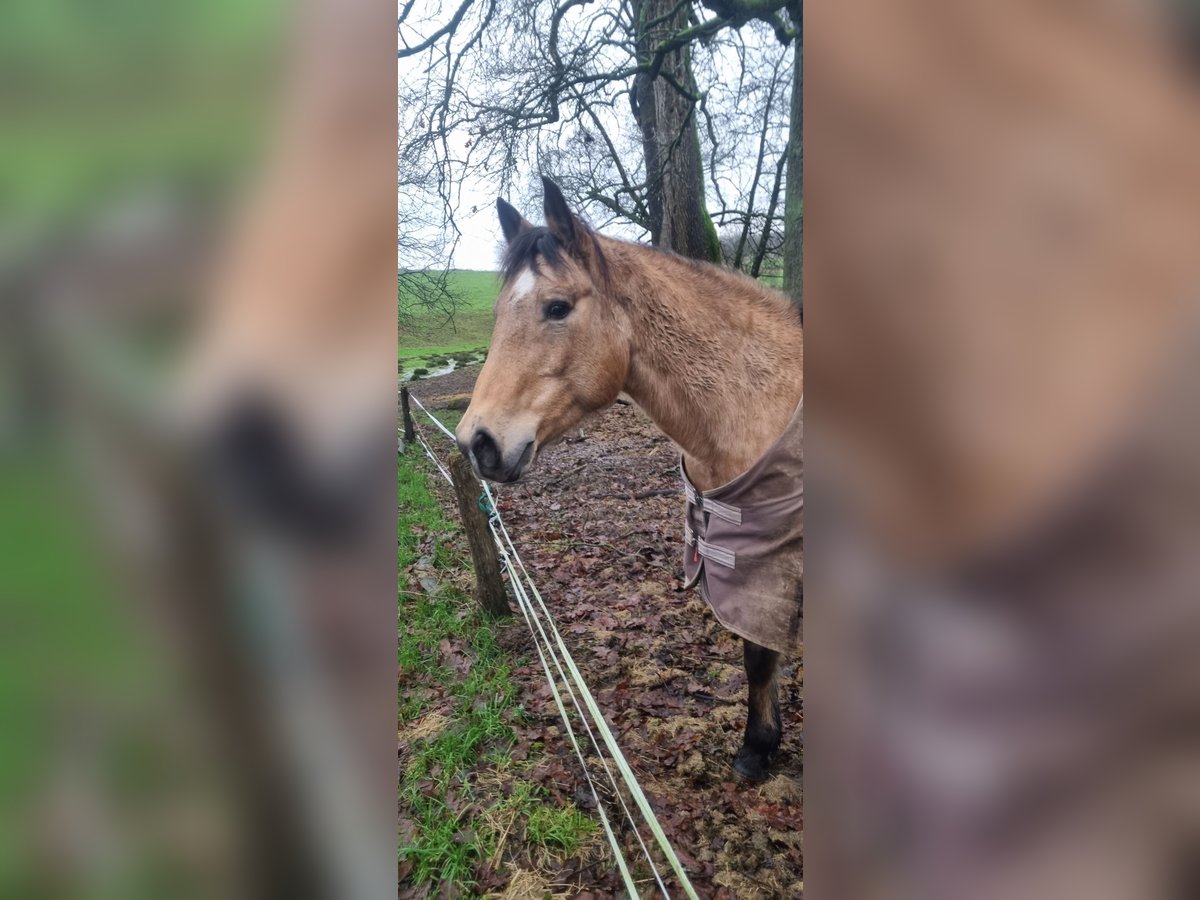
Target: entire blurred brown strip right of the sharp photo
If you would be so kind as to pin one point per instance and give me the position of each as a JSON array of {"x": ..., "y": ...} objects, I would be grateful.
[{"x": 1001, "y": 303}]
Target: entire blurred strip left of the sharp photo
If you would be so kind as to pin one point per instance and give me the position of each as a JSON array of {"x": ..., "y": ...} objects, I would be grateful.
[{"x": 197, "y": 598}]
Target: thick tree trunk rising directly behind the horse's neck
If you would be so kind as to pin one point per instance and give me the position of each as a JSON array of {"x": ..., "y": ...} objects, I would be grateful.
[{"x": 671, "y": 141}]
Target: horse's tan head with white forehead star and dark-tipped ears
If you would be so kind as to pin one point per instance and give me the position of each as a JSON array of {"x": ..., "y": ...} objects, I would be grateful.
[{"x": 560, "y": 349}]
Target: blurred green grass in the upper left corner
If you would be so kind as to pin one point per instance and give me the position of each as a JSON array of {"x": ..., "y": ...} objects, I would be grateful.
[{"x": 104, "y": 100}]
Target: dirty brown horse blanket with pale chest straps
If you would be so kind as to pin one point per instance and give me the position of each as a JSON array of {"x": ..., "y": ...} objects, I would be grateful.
[{"x": 743, "y": 544}]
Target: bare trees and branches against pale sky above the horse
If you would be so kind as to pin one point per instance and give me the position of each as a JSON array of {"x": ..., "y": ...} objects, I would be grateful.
[{"x": 643, "y": 110}]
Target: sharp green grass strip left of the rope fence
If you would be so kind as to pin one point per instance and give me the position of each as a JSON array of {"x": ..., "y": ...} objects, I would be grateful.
[{"x": 457, "y": 826}]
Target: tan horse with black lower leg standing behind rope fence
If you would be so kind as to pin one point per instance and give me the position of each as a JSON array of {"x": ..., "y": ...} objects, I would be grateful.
[{"x": 713, "y": 357}]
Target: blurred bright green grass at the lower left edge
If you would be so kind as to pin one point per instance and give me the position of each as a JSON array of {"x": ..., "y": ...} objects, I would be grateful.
[{"x": 67, "y": 650}]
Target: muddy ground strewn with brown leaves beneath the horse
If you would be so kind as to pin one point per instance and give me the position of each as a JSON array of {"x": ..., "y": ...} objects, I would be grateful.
[{"x": 599, "y": 524}]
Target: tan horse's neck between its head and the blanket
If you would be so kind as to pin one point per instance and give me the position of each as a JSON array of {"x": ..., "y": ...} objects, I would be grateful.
[{"x": 719, "y": 370}]
